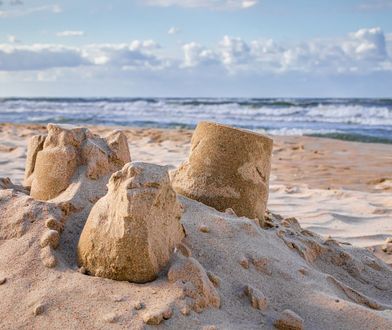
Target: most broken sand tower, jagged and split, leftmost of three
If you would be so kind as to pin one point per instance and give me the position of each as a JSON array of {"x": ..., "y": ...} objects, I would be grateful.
[{"x": 52, "y": 161}]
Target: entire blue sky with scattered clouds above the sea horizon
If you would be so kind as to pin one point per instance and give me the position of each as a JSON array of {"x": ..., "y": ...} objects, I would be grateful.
[{"x": 196, "y": 48}]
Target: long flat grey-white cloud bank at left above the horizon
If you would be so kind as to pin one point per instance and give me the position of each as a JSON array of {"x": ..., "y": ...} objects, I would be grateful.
[{"x": 136, "y": 55}]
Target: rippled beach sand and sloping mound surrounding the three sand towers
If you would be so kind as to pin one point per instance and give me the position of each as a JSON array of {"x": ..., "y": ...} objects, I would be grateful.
[{"x": 284, "y": 275}]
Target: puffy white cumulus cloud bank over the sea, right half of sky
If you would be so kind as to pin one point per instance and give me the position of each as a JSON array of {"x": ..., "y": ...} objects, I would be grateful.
[{"x": 361, "y": 51}]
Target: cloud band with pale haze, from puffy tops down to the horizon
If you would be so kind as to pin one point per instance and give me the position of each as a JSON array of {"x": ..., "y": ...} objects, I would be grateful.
[{"x": 231, "y": 66}]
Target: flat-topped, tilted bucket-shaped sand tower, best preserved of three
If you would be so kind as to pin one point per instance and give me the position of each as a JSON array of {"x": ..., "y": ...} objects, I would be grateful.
[{"x": 227, "y": 168}]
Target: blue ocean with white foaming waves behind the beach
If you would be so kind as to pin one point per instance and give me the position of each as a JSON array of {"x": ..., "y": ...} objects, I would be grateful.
[{"x": 368, "y": 120}]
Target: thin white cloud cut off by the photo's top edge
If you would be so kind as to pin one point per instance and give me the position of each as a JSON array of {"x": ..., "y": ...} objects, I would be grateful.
[{"x": 212, "y": 4}]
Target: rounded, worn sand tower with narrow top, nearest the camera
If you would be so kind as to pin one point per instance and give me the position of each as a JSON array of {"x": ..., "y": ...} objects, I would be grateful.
[{"x": 132, "y": 231}]
